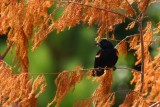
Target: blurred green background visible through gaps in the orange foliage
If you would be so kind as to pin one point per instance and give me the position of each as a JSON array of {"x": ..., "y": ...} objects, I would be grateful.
[{"x": 74, "y": 47}]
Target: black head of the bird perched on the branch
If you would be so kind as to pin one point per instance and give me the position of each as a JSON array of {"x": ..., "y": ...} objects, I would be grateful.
[{"x": 105, "y": 44}]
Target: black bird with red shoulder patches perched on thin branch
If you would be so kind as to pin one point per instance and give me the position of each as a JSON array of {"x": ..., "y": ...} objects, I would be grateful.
[{"x": 107, "y": 56}]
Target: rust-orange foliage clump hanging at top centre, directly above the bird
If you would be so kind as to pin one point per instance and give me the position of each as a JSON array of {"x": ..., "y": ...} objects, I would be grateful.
[{"x": 98, "y": 12}]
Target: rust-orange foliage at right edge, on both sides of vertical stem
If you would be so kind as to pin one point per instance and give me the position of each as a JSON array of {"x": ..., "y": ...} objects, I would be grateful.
[{"x": 151, "y": 69}]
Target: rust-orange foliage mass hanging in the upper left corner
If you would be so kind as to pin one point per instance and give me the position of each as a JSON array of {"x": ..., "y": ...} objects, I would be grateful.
[{"x": 23, "y": 20}]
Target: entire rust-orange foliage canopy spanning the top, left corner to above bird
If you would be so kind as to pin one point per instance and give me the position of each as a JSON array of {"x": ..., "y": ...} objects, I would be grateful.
[{"x": 25, "y": 20}]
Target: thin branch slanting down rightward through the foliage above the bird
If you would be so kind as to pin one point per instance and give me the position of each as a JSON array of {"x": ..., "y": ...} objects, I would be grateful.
[{"x": 101, "y": 9}]
